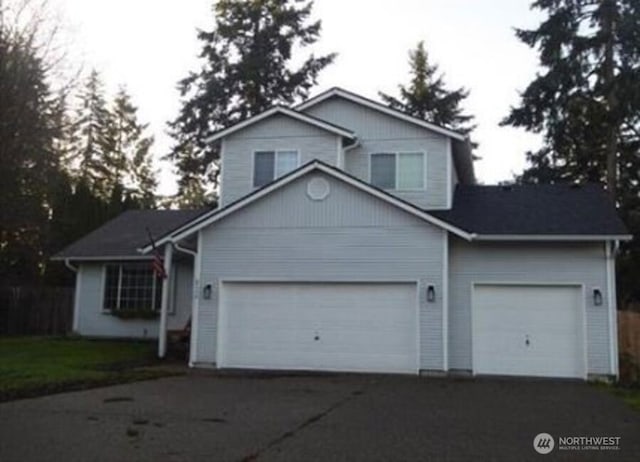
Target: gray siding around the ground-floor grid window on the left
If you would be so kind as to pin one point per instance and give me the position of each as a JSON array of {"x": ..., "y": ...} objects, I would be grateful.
[{"x": 94, "y": 322}]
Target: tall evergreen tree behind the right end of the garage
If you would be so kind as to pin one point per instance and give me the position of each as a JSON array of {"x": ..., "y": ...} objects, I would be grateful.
[{"x": 585, "y": 102}]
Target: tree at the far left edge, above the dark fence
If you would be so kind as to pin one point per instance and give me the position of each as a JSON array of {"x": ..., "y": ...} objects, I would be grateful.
[{"x": 28, "y": 130}]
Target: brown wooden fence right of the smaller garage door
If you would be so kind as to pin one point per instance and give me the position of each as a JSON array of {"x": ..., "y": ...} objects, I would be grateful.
[{"x": 629, "y": 345}]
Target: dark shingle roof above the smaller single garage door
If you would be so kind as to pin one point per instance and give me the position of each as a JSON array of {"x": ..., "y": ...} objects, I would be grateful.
[{"x": 558, "y": 209}]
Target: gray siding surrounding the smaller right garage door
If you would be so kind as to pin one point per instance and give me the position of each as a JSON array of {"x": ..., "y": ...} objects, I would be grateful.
[{"x": 526, "y": 263}]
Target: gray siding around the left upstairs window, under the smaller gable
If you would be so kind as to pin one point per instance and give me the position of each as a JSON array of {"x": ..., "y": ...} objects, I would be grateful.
[{"x": 275, "y": 133}]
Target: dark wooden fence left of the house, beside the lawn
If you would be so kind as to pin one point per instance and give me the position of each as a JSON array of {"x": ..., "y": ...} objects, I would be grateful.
[{"x": 36, "y": 310}]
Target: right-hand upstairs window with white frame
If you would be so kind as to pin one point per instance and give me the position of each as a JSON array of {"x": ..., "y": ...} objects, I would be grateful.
[{"x": 398, "y": 170}]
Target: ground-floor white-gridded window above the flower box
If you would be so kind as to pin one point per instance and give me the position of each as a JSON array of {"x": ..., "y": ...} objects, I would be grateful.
[{"x": 132, "y": 287}]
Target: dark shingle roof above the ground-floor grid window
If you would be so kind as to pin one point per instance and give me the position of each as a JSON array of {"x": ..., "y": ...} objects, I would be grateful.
[{"x": 122, "y": 236}]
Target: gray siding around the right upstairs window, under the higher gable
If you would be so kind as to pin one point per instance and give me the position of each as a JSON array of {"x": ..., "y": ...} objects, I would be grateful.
[{"x": 378, "y": 132}]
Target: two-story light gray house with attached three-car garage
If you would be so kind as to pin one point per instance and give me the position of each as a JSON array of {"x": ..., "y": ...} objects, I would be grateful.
[{"x": 352, "y": 237}]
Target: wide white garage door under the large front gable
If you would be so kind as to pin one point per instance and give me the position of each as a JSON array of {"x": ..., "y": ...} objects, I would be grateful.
[{"x": 368, "y": 327}]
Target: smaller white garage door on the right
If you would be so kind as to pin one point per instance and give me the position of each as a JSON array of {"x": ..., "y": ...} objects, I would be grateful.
[{"x": 528, "y": 330}]
